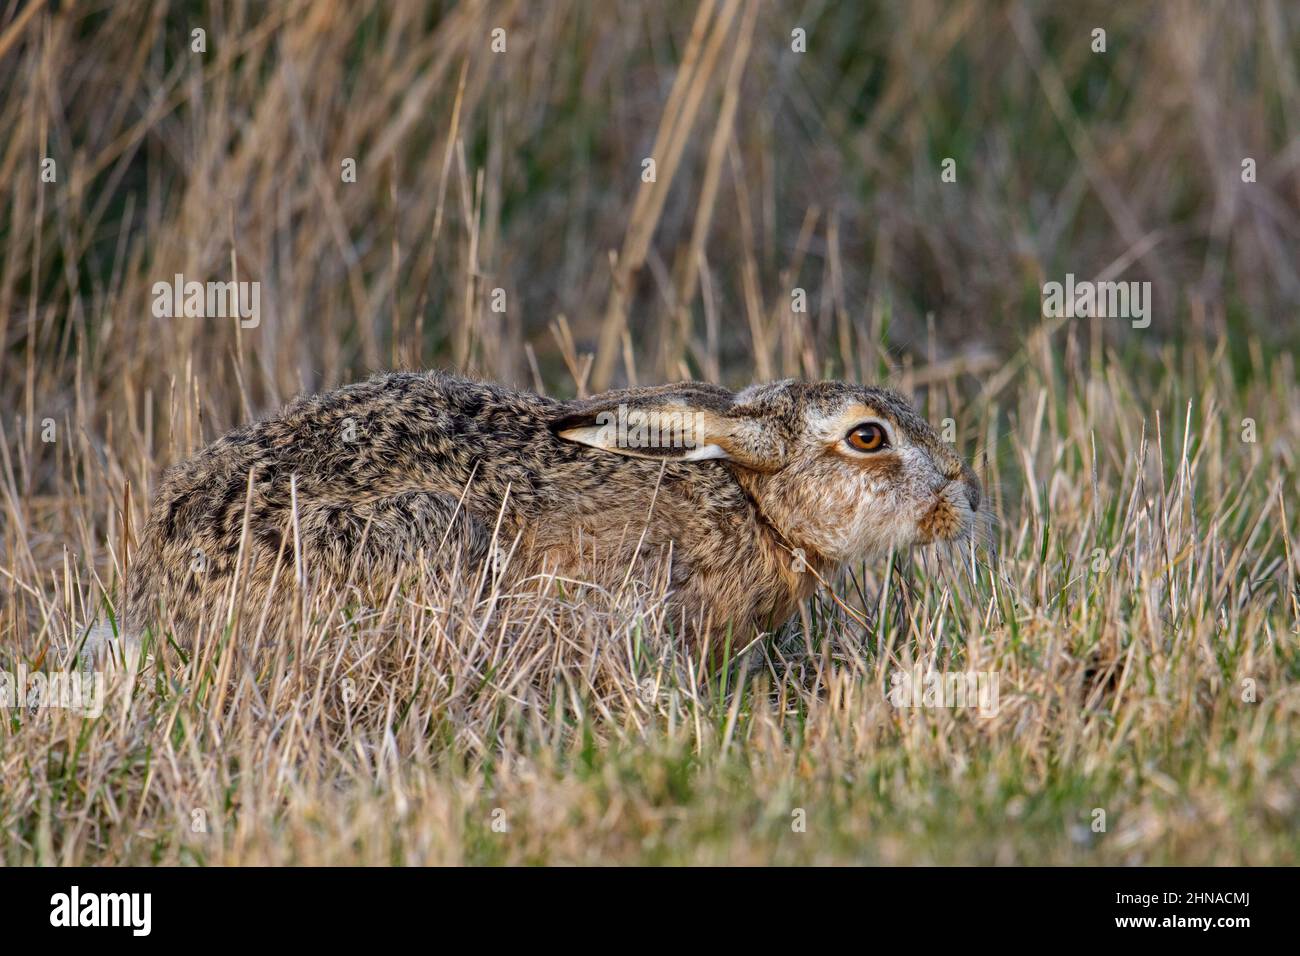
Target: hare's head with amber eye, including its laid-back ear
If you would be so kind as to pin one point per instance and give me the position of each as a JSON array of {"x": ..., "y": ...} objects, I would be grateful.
[{"x": 846, "y": 471}]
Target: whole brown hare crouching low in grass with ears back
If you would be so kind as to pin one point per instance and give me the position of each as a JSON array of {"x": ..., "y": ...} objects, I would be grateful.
[{"x": 740, "y": 501}]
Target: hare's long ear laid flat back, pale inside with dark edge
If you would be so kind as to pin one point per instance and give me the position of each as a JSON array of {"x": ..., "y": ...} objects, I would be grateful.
[{"x": 690, "y": 423}]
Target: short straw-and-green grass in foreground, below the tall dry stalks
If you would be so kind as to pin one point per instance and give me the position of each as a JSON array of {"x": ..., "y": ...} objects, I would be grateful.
[{"x": 1121, "y": 691}]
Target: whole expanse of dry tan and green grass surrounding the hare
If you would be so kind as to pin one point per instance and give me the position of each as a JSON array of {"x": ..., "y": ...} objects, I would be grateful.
[{"x": 397, "y": 734}]
